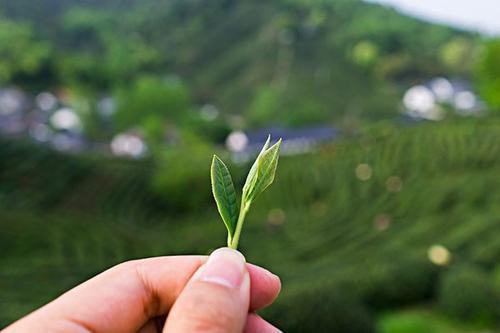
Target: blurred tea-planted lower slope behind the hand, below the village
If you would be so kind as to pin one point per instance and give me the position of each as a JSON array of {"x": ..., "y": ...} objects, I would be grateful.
[{"x": 347, "y": 229}]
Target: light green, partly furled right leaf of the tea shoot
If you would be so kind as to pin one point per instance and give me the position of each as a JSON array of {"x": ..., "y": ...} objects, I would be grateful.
[{"x": 263, "y": 175}]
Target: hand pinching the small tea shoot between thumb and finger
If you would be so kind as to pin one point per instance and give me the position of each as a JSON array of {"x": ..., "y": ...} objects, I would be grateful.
[{"x": 173, "y": 294}]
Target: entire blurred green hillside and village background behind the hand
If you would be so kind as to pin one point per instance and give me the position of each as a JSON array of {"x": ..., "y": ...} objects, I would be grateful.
[{"x": 384, "y": 216}]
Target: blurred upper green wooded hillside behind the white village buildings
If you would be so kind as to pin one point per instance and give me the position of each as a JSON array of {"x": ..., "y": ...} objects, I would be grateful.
[{"x": 287, "y": 61}]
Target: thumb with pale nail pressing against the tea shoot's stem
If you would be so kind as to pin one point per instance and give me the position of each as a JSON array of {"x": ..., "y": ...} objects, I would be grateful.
[{"x": 216, "y": 299}]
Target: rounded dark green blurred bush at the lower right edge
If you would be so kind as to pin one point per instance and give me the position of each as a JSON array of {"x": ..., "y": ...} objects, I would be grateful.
[{"x": 467, "y": 294}]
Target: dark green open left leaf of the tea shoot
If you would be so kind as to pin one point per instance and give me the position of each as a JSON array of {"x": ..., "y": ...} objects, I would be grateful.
[{"x": 224, "y": 194}]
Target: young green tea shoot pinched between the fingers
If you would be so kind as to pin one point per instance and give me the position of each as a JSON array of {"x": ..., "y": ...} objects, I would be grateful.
[{"x": 260, "y": 176}]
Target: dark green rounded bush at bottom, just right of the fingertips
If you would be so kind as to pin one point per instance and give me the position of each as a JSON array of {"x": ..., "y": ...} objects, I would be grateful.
[{"x": 329, "y": 310}]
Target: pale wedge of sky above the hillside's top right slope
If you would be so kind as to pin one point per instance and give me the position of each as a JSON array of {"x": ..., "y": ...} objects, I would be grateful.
[{"x": 477, "y": 15}]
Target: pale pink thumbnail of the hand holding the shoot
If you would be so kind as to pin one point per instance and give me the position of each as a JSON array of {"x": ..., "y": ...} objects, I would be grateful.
[{"x": 224, "y": 267}]
